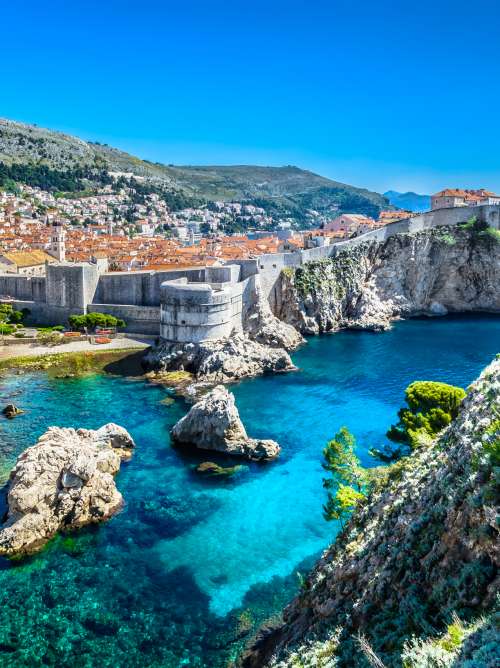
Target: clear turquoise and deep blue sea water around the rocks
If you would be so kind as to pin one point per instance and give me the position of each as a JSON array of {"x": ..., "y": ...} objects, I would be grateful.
[{"x": 182, "y": 574}]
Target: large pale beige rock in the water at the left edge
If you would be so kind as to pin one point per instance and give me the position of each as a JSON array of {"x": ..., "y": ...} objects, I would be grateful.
[{"x": 64, "y": 481}]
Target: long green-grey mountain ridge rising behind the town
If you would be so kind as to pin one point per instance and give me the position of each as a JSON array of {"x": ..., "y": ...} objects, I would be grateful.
[{"x": 37, "y": 155}]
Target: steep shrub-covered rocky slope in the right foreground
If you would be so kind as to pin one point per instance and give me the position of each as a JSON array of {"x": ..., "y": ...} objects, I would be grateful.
[{"x": 420, "y": 549}]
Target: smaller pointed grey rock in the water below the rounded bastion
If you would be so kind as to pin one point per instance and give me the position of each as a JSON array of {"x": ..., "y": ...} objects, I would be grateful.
[{"x": 214, "y": 424}]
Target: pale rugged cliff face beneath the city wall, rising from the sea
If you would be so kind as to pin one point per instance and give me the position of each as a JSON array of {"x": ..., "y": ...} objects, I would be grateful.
[{"x": 429, "y": 273}]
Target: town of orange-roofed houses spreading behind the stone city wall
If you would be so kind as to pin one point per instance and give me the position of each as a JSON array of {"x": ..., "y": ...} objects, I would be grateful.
[{"x": 37, "y": 227}]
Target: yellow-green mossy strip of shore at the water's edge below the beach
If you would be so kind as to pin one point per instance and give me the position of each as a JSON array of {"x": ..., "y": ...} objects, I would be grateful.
[{"x": 61, "y": 365}]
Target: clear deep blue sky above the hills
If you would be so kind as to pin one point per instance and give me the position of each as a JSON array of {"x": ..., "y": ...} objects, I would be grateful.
[{"x": 401, "y": 95}]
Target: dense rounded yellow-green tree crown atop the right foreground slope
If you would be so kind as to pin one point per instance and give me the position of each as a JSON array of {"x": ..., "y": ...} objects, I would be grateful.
[{"x": 431, "y": 408}]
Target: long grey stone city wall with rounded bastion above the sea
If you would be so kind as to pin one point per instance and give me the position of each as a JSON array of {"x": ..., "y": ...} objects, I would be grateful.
[{"x": 192, "y": 305}]
